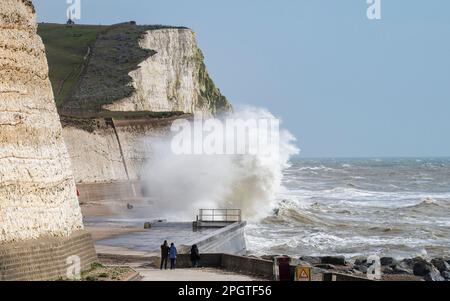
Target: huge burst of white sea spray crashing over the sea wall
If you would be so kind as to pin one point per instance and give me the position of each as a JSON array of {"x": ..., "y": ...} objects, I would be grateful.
[{"x": 180, "y": 184}]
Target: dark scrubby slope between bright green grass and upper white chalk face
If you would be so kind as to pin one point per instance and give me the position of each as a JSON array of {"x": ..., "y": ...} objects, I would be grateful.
[{"x": 106, "y": 79}]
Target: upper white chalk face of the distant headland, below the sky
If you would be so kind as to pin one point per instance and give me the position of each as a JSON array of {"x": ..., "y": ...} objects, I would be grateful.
[{"x": 174, "y": 78}]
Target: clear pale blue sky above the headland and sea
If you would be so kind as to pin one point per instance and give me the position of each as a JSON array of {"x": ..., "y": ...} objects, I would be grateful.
[{"x": 344, "y": 85}]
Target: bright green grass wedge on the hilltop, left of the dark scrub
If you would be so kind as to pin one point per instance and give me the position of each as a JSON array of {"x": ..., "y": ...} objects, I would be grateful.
[{"x": 66, "y": 48}]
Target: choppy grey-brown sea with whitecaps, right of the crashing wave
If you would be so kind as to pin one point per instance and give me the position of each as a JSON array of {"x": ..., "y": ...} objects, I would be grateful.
[{"x": 353, "y": 207}]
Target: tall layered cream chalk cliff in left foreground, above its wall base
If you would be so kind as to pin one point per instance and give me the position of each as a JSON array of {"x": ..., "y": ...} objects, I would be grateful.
[{"x": 37, "y": 189}]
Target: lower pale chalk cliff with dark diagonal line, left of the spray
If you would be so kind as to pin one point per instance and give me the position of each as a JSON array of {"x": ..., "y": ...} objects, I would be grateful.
[{"x": 103, "y": 152}]
